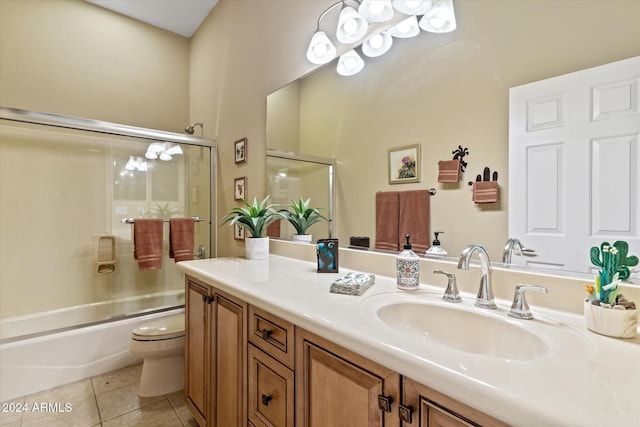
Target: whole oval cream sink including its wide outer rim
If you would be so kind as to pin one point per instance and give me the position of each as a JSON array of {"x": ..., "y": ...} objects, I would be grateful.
[{"x": 431, "y": 323}]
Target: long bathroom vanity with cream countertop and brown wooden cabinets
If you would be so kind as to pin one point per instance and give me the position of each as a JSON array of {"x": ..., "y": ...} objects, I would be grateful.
[{"x": 268, "y": 344}]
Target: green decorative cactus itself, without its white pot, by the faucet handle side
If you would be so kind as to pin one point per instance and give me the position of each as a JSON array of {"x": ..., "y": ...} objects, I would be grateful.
[{"x": 614, "y": 266}]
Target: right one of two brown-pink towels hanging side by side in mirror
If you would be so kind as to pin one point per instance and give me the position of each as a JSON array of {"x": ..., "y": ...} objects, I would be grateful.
[{"x": 414, "y": 218}]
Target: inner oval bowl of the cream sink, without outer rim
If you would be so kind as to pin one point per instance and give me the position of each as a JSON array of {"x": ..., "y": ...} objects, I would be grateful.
[{"x": 463, "y": 329}]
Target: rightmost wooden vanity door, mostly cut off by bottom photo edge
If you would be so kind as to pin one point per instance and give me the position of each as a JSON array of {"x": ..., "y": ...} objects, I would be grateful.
[{"x": 425, "y": 407}]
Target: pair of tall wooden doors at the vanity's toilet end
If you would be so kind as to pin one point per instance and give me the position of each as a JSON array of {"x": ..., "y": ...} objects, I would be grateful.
[{"x": 216, "y": 356}]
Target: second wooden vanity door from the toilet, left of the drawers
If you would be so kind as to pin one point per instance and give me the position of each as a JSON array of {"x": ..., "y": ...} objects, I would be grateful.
[{"x": 230, "y": 362}]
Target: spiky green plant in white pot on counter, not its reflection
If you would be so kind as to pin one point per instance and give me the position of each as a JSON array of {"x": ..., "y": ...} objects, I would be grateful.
[{"x": 255, "y": 218}]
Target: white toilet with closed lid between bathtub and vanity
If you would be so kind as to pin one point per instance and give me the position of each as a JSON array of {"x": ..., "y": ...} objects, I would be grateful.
[{"x": 160, "y": 342}]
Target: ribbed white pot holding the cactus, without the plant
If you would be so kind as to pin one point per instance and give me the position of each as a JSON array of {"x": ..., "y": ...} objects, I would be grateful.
[{"x": 610, "y": 322}]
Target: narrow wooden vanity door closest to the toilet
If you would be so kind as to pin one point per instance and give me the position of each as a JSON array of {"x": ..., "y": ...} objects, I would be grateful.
[{"x": 196, "y": 350}]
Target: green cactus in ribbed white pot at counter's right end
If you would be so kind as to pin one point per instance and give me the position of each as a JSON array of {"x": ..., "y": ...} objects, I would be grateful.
[{"x": 606, "y": 310}]
